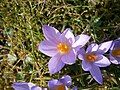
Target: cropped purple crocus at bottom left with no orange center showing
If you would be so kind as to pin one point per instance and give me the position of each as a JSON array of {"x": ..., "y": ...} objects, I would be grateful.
[{"x": 25, "y": 86}]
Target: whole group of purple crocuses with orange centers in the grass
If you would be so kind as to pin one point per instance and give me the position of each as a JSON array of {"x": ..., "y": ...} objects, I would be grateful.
[{"x": 64, "y": 48}]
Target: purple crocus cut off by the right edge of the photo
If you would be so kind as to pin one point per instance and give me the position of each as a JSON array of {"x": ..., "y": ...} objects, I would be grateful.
[{"x": 115, "y": 52}]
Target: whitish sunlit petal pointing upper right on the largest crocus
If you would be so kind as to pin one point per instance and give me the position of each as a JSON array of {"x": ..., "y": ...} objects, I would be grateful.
[{"x": 81, "y": 40}]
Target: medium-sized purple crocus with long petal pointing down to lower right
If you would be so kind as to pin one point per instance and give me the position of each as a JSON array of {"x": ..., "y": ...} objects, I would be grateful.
[{"x": 93, "y": 58}]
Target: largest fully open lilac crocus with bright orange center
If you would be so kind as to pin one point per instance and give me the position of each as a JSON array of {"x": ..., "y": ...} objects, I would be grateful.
[{"x": 61, "y": 47}]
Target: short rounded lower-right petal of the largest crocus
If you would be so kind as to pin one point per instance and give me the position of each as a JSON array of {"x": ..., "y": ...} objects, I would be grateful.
[{"x": 69, "y": 58}]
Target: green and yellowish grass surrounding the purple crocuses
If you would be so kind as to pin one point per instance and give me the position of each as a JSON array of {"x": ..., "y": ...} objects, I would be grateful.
[{"x": 20, "y": 34}]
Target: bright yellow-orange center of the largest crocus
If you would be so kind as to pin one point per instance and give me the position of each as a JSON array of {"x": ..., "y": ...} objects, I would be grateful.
[{"x": 63, "y": 48}]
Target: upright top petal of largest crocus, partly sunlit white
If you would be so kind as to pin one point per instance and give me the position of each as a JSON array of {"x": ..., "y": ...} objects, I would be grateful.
[{"x": 68, "y": 35}]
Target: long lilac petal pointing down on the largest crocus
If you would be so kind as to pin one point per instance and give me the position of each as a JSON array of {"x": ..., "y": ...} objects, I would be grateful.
[{"x": 55, "y": 64}]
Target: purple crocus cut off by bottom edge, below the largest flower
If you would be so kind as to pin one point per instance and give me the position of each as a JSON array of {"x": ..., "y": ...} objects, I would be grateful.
[{"x": 60, "y": 84}]
